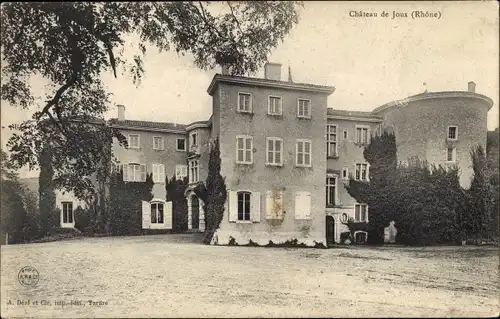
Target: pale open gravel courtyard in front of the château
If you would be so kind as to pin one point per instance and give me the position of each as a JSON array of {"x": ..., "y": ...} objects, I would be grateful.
[{"x": 172, "y": 276}]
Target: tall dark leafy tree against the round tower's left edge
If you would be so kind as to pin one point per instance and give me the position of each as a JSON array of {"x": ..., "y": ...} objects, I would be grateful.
[{"x": 378, "y": 192}]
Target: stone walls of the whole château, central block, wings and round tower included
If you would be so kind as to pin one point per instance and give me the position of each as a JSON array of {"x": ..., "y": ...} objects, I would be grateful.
[{"x": 281, "y": 200}]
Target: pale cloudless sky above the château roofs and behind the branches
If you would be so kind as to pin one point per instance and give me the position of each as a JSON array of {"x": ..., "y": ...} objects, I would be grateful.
[{"x": 369, "y": 60}]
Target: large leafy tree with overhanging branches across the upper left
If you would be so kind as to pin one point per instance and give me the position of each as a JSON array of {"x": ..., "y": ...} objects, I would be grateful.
[{"x": 72, "y": 44}]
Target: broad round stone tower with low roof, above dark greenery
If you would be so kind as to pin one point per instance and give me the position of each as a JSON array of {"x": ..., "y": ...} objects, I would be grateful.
[{"x": 440, "y": 127}]
